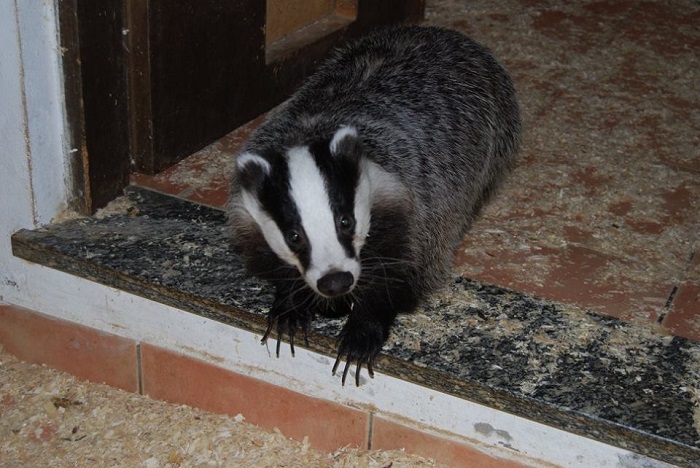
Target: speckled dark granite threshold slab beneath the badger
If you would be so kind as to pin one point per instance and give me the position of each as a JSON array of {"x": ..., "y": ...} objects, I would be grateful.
[{"x": 595, "y": 376}]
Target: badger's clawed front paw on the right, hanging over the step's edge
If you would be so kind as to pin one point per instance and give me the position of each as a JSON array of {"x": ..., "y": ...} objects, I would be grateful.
[{"x": 359, "y": 343}]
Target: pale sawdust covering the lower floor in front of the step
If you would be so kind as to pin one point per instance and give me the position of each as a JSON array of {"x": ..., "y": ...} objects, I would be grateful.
[{"x": 49, "y": 418}]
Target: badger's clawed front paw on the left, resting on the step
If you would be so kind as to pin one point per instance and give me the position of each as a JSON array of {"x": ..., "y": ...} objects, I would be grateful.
[{"x": 290, "y": 313}]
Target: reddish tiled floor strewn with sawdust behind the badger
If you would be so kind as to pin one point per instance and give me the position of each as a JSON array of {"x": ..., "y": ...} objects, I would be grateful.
[{"x": 604, "y": 209}]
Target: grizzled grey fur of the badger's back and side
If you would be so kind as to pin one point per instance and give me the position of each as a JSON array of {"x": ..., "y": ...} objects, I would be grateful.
[{"x": 430, "y": 106}]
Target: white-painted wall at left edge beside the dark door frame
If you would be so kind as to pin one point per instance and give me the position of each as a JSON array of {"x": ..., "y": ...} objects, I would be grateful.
[{"x": 33, "y": 179}]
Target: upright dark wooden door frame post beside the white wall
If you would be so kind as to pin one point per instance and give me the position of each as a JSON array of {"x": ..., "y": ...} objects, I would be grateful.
[{"x": 95, "y": 108}]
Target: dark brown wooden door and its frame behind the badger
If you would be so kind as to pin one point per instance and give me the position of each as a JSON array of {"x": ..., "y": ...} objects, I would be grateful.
[{"x": 152, "y": 81}]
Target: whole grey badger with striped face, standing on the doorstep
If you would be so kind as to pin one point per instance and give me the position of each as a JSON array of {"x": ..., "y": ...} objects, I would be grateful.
[{"x": 353, "y": 196}]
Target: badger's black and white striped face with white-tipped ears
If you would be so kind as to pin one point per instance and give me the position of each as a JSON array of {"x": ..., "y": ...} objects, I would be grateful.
[{"x": 312, "y": 205}]
